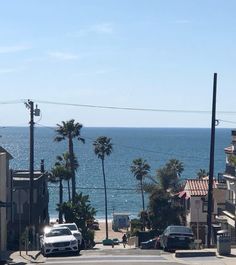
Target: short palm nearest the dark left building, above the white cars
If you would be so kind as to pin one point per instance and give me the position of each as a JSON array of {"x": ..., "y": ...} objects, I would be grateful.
[{"x": 57, "y": 174}]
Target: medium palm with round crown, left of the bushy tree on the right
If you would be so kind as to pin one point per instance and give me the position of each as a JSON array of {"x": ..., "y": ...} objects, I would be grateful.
[{"x": 140, "y": 168}]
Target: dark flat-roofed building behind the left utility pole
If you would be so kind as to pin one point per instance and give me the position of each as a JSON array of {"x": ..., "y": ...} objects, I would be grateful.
[{"x": 20, "y": 204}]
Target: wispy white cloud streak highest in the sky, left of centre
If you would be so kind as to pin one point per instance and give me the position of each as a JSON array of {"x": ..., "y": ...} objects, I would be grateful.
[{"x": 103, "y": 28}]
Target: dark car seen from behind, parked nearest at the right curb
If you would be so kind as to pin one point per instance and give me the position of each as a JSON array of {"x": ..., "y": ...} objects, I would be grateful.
[{"x": 176, "y": 237}]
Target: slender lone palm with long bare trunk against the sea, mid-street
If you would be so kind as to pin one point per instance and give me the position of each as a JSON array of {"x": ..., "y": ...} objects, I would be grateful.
[{"x": 103, "y": 147}]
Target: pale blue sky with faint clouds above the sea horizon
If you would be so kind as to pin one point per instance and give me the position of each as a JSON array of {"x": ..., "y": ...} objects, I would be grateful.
[{"x": 158, "y": 54}]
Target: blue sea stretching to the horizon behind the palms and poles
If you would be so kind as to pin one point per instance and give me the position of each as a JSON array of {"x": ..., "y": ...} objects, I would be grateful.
[{"x": 156, "y": 145}]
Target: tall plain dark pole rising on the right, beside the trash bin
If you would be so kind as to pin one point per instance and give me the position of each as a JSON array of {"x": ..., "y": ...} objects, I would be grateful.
[{"x": 211, "y": 165}]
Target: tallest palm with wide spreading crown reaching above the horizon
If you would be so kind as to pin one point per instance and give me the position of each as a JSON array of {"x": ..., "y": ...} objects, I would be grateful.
[{"x": 70, "y": 130}]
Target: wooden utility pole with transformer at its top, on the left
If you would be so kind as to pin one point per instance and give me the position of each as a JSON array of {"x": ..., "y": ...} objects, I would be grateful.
[{"x": 33, "y": 112}]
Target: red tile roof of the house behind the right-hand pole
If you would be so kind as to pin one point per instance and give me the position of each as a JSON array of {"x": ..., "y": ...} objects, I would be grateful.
[{"x": 196, "y": 187}]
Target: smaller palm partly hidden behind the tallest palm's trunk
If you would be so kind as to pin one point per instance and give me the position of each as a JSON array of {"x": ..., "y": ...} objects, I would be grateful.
[{"x": 64, "y": 160}]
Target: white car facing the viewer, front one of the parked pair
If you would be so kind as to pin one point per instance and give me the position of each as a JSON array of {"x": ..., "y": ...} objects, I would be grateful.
[{"x": 58, "y": 240}]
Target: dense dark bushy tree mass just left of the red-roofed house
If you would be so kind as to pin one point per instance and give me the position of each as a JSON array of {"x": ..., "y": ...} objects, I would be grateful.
[{"x": 162, "y": 208}]
